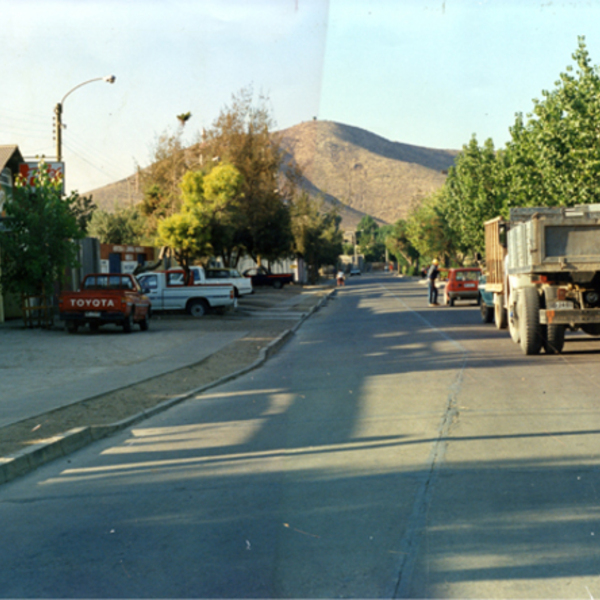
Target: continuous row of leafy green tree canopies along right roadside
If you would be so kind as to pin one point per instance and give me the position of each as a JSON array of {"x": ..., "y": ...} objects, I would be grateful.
[{"x": 551, "y": 159}]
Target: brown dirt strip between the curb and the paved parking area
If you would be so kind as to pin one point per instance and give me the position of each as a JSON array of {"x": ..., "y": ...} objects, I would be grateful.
[{"x": 120, "y": 404}]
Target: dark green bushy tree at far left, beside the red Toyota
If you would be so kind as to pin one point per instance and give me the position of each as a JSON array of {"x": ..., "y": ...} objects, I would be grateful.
[{"x": 41, "y": 239}]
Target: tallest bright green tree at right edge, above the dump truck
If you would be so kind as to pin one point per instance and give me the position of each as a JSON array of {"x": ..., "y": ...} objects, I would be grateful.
[{"x": 553, "y": 157}]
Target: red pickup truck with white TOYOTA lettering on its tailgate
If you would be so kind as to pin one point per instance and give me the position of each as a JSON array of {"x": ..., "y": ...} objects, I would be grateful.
[{"x": 105, "y": 298}]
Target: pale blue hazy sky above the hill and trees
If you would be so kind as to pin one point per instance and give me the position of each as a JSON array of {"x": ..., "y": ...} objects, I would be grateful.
[{"x": 423, "y": 72}]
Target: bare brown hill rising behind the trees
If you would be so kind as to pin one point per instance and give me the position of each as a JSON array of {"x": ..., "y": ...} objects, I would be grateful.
[{"x": 353, "y": 169}]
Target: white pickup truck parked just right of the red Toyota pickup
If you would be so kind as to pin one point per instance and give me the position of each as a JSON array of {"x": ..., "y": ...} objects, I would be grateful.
[{"x": 167, "y": 291}]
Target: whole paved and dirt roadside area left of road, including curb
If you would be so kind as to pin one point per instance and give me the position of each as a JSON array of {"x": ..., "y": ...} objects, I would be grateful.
[{"x": 56, "y": 389}]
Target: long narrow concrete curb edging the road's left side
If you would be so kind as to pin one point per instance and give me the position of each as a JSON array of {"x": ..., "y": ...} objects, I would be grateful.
[{"x": 25, "y": 461}]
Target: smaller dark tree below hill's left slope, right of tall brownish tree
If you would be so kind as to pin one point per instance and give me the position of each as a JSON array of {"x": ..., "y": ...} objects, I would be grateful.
[{"x": 317, "y": 237}]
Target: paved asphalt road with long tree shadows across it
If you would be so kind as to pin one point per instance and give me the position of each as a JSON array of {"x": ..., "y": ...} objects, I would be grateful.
[{"x": 388, "y": 450}]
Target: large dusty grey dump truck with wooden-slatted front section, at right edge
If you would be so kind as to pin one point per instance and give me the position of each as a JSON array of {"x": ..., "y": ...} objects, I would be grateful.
[{"x": 543, "y": 267}]
